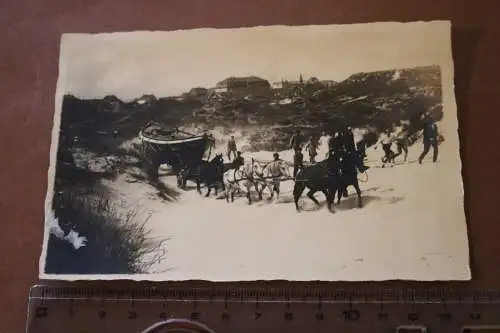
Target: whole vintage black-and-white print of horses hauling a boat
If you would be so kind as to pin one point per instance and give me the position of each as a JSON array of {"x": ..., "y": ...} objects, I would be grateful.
[{"x": 326, "y": 152}]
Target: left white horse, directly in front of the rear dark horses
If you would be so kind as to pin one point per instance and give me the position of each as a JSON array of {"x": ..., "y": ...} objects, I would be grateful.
[{"x": 244, "y": 176}]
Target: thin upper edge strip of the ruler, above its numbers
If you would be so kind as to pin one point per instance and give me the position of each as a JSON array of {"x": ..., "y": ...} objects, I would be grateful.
[{"x": 267, "y": 295}]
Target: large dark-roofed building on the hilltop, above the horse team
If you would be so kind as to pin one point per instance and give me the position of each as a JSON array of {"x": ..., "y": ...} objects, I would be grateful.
[{"x": 243, "y": 86}]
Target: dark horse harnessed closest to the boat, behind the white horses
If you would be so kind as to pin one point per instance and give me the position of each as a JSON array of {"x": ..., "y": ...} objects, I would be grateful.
[{"x": 207, "y": 172}]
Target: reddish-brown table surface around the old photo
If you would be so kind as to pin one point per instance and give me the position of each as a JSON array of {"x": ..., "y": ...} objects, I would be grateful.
[{"x": 29, "y": 46}]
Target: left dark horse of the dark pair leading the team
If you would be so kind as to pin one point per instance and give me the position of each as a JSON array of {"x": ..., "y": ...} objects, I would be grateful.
[{"x": 322, "y": 176}]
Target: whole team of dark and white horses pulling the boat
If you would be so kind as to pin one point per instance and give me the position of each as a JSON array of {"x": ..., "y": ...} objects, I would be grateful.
[{"x": 330, "y": 176}]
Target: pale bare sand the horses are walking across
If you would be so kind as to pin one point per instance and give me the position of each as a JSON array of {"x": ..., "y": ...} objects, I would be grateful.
[{"x": 409, "y": 228}]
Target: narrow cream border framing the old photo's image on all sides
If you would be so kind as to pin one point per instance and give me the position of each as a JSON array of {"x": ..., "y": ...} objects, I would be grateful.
[{"x": 449, "y": 122}]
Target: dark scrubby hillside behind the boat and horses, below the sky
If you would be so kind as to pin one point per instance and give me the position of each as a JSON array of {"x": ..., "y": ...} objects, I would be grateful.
[{"x": 372, "y": 101}]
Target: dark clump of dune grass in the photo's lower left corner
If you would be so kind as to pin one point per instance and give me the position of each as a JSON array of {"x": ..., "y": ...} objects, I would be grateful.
[{"x": 118, "y": 240}]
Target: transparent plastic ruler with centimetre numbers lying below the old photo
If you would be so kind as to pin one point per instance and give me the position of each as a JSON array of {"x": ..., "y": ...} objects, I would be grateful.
[{"x": 263, "y": 310}]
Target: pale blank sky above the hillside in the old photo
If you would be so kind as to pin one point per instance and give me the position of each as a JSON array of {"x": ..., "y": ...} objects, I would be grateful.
[{"x": 131, "y": 64}]
